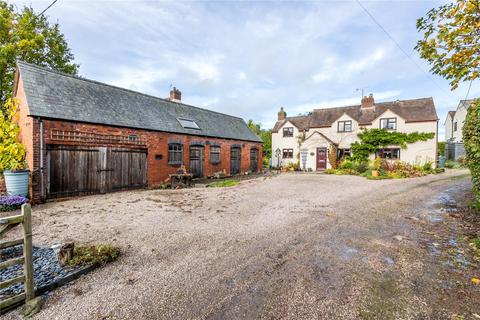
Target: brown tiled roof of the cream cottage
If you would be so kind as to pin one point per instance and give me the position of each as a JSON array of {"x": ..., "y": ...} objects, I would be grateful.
[{"x": 414, "y": 110}]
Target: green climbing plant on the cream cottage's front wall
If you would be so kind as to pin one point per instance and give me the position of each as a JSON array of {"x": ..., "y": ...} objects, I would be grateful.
[{"x": 372, "y": 139}]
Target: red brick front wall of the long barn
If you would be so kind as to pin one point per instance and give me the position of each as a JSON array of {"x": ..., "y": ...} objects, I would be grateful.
[{"x": 156, "y": 144}]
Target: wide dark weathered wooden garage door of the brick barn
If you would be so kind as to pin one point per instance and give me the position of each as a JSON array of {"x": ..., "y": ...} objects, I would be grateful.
[{"x": 73, "y": 170}]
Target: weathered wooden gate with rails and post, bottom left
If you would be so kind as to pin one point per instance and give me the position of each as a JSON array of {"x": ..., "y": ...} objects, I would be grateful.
[{"x": 7, "y": 223}]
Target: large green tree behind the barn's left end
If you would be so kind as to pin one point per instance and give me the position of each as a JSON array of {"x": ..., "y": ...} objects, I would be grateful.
[{"x": 31, "y": 38}]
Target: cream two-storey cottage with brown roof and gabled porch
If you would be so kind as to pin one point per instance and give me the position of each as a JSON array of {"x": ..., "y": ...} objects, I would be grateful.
[{"x": 314, "y": 134}]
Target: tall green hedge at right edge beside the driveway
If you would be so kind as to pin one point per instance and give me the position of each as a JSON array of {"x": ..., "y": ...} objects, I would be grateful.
[{"x": 471, "y": 140}]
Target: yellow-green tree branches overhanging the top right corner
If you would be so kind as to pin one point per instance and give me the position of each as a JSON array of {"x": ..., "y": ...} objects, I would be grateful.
[{"x": 451, "y": 40}]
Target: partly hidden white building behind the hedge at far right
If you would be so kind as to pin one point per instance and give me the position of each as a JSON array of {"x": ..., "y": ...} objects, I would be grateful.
[{"x": 453, "y": 130}]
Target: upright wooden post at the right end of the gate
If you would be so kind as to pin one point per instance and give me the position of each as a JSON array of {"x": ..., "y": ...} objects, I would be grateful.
[{"x": 28, "y": 251}]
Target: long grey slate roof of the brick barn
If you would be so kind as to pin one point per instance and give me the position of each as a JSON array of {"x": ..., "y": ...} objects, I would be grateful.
[{"x": 51, "y": 94}]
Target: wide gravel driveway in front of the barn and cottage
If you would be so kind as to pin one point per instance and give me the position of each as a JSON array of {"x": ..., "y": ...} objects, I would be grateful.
[{"x": 294, "y": 246}]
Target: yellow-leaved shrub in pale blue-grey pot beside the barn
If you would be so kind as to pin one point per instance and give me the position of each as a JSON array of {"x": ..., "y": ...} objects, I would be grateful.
[{"x": 12, "y": 152}]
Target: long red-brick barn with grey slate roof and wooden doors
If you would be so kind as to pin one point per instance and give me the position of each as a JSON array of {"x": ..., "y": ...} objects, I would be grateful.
[{"x": 86, "y": 137}]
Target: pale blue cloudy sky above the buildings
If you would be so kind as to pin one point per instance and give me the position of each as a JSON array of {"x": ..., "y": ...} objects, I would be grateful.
[{"x": 248, "y": 58}]
